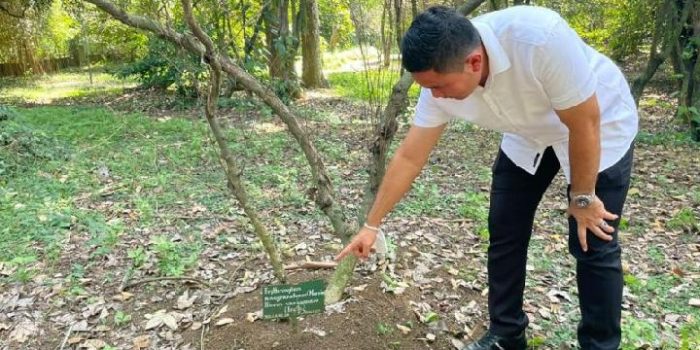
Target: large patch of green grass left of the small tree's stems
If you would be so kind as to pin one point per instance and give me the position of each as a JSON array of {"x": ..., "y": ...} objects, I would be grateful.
[{"x": 45, "y": 197}]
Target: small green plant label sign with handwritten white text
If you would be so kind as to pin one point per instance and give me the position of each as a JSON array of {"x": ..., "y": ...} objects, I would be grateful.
[{"x": 286, "y": 300}]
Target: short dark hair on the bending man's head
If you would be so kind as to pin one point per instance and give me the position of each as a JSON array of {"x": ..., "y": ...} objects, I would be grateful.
[{"x": 440, "y": 39}]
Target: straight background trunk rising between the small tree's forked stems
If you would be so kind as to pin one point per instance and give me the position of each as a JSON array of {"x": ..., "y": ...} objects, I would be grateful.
[{"x": 312, "y": 73}]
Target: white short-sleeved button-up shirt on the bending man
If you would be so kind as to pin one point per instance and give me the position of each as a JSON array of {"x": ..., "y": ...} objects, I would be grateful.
[{"x": 538, "y": 64}]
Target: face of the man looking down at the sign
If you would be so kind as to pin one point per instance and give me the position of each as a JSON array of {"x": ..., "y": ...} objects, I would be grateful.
[{"x": 456, "y": 85}]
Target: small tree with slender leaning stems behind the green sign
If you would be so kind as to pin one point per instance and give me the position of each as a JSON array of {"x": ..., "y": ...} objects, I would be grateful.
[{"x": 201, "y": 45}]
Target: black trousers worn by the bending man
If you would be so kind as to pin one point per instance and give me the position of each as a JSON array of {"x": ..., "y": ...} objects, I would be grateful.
[{"x": 515, "y": 195}]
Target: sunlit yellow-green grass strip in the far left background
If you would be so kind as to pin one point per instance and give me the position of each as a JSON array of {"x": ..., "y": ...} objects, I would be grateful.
[{"x": 44, "y": 89}]
